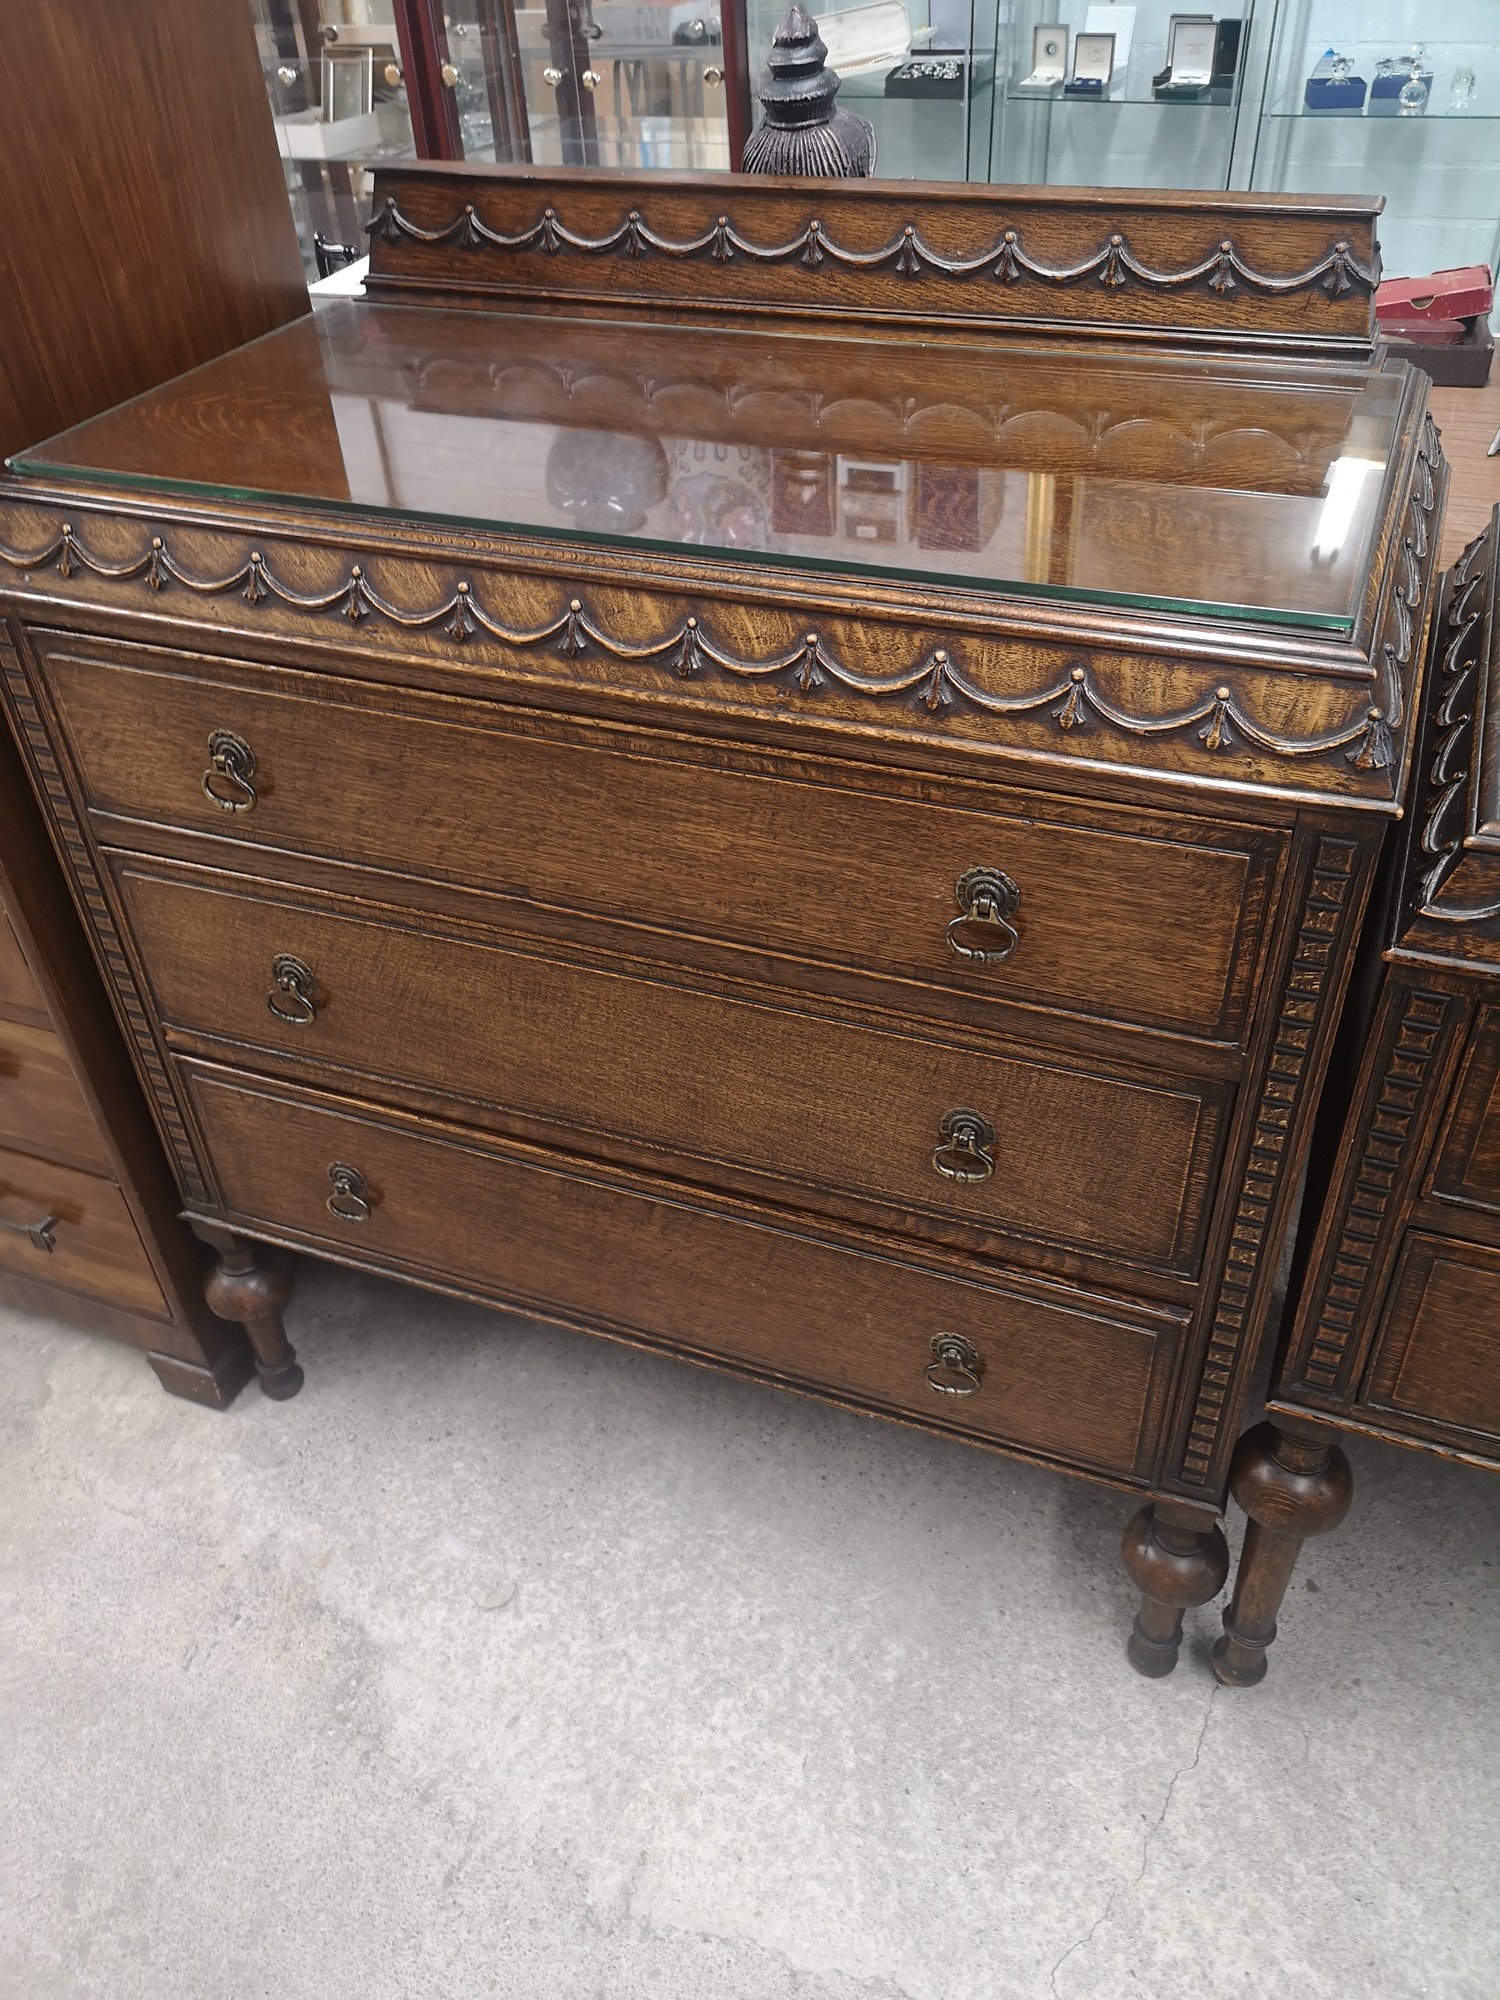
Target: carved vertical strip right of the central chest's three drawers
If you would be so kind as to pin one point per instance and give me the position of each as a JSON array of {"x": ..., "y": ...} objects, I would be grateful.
[{"x": 1311, "y": 979}]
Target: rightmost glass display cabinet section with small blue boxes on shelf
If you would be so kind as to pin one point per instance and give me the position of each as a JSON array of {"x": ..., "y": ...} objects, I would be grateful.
[{"x": 1407, "y": 107}]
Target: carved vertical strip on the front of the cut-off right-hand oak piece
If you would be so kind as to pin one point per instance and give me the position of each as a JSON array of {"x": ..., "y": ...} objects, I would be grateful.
[{"x": 1415, "y": 1031}]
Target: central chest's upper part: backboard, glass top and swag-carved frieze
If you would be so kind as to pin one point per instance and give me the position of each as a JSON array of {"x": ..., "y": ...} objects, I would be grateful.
[{"x": 1163, "y": 489}]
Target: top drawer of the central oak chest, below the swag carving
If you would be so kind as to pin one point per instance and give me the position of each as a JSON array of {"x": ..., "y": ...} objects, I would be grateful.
[{"x": 1131, "y": 917}]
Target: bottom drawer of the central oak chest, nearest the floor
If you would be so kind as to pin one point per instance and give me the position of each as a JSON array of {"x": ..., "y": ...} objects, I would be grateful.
[{"x": 397, "y": 1193}]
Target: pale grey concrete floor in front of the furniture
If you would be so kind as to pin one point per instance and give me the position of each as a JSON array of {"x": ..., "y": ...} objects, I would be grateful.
[{"x": 513, "y": 1663}]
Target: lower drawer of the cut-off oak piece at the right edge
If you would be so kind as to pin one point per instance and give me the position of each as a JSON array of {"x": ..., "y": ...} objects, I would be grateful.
[{"x": 1437, "y": 1359}]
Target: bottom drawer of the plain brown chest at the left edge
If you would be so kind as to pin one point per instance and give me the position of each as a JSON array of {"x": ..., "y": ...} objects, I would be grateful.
[{"x": 73, "y": 1231}]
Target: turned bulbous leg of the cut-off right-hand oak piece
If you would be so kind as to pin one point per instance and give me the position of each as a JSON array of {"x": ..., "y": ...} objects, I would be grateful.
[{"x": 1291, "y": 1481}]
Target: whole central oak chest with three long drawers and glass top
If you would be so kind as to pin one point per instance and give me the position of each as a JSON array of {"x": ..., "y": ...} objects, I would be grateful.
[{"x": 787, "y": 775}]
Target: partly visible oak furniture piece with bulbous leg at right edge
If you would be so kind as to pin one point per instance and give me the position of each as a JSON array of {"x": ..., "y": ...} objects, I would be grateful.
[{"x": 1395, "y": 1317}]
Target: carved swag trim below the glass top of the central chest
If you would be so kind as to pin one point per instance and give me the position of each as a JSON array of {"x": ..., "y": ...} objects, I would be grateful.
[{"x": 935, "y": 681}]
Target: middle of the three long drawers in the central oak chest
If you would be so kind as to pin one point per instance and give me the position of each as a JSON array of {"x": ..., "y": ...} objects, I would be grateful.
[{"x": 971, "y": 1143}]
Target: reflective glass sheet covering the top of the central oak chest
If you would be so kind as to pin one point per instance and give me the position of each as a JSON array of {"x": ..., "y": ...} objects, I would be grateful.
[{"x": 1177, "y": 483}]
